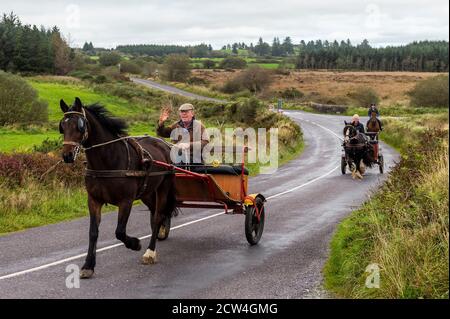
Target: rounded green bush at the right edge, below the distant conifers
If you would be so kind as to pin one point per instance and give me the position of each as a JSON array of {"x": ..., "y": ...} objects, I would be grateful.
[{"x": 432, "y": 92}]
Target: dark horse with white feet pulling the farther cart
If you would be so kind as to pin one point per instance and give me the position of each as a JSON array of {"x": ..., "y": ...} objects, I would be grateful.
[{"x": 358, "y": 152}]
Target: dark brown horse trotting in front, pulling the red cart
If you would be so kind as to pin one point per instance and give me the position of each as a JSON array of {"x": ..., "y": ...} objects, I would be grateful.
[{"x": 108, "y": 150}]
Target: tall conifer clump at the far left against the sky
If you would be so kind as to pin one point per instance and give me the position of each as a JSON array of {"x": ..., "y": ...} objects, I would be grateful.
[{"x": 26, "y": 48}]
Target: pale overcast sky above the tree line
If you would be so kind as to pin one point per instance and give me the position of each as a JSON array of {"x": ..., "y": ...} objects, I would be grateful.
[{"x": 113, "y": 22}]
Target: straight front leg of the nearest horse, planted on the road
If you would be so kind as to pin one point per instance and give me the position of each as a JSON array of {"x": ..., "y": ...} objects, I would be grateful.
[{"x": 95, "y": 208}]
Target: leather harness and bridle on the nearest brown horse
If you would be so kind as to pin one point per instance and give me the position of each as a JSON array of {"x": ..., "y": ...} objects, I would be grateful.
[{"x": 146, "y": 158}]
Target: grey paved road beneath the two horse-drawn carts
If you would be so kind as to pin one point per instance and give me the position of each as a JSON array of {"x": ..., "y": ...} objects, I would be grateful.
[{"x": 207, "y": 257}]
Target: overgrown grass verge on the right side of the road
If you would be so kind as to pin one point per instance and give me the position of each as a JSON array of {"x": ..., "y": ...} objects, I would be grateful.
[{"x": 404, "y": 228}]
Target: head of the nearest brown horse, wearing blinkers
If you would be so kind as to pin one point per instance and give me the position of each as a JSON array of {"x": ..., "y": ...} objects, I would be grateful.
[{"x": 74, "y": 126}]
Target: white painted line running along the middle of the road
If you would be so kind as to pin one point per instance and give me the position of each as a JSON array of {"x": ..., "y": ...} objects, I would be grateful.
[{"x": 62, "y": 261}]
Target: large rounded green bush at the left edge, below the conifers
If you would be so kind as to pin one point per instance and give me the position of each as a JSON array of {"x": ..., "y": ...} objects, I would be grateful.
[{"x": 19, "y": 102}]
